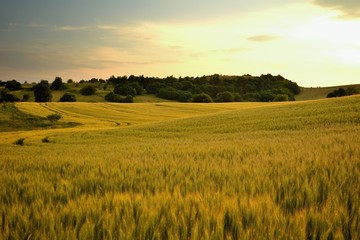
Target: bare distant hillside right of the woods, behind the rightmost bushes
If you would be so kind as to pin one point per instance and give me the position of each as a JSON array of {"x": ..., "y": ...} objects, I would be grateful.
[{"x": 319, "y": 92}]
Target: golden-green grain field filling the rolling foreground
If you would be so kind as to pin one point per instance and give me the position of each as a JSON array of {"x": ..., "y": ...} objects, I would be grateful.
[{"x": 286, "y": 170}]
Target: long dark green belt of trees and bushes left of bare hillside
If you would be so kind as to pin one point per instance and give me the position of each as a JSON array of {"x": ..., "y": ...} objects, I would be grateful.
[{"x": 212, "y": 88}]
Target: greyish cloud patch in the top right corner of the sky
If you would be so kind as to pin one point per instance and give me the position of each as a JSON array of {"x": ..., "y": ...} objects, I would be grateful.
[{"x": 350, "y": 8}]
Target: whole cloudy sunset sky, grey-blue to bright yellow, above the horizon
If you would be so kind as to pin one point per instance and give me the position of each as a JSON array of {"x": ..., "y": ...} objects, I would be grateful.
[{"x": 312, "y": 42}]
